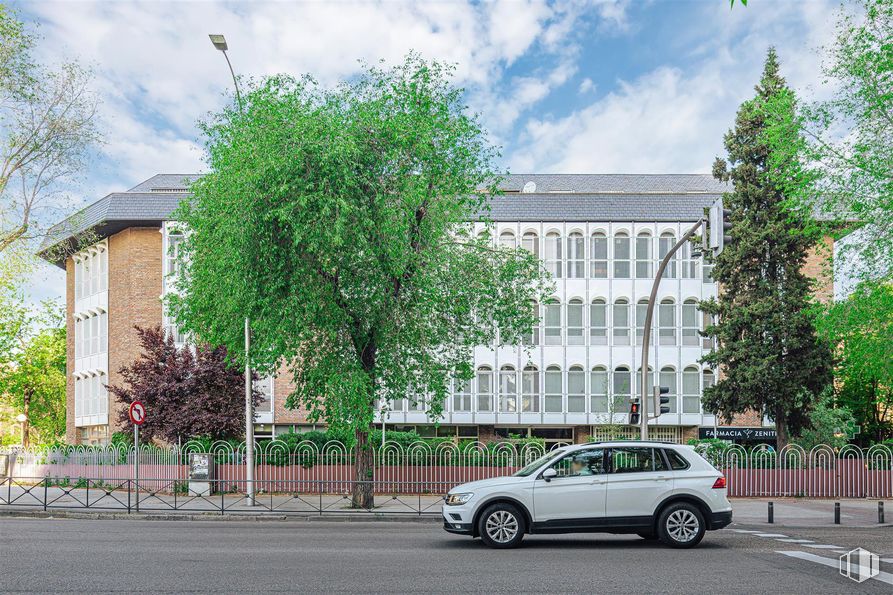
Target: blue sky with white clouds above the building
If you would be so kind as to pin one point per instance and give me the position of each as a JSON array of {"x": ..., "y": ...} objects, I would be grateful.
[{"x": 569, "y": 87}]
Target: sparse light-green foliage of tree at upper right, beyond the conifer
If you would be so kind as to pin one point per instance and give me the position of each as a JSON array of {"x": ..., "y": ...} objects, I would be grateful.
[{"x": 835, "y": 157}]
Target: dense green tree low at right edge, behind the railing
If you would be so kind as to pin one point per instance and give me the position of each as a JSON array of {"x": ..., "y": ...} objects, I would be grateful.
[{"x": 860, "y": 330}]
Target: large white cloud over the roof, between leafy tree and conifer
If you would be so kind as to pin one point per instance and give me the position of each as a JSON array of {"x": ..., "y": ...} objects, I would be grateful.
[{"x": 673, "y": 119}]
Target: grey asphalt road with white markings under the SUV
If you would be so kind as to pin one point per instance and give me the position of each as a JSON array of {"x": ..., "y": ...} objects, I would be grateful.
[{"x": 58, "y": 555}]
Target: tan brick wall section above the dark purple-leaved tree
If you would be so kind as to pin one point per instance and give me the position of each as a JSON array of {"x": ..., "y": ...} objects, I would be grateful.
[{"x": 135, "y": 276}]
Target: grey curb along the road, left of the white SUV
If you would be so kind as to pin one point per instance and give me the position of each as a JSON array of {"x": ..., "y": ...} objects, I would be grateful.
[{"x": 230, "y": 516}]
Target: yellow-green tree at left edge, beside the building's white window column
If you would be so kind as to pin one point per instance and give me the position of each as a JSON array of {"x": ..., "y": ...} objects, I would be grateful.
[{"x": 32, "y": 371}]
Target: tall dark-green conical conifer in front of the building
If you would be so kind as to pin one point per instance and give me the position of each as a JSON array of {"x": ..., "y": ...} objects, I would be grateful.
[{"x": 770, "y": 358}]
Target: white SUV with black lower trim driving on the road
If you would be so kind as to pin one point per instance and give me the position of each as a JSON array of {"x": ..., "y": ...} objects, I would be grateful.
[{"x": 656, "y": 490}]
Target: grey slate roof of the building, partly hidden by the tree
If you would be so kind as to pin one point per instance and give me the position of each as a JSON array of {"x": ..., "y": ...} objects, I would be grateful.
[{"x": 527, "y": 197}]
